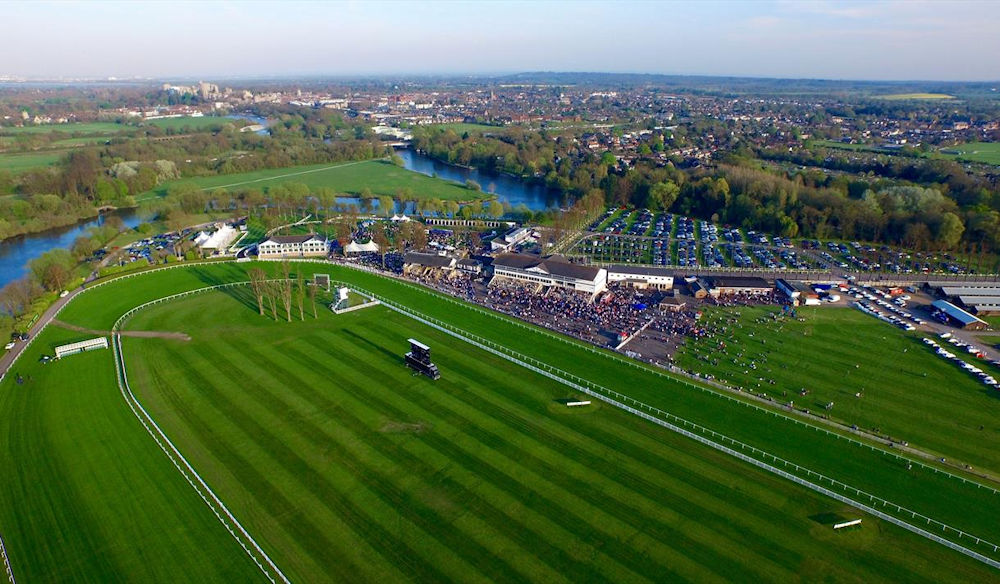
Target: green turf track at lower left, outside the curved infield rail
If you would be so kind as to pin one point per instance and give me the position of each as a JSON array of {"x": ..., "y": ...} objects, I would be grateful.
[{"x": 86, "y": 495}]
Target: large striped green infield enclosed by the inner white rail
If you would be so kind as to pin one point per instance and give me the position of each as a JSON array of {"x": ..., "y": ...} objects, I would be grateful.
[{"x": 349, "y": 467}]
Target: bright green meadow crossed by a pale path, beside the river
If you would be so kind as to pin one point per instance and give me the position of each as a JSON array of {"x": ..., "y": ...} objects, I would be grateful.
[{"x": 382, "y": 177}]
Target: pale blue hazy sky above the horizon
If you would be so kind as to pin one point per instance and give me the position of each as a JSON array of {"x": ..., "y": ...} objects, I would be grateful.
[{"x": 897, "y": 39}]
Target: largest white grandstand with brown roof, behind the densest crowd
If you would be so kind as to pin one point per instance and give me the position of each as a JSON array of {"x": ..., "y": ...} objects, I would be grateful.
[{"x": 553, "y": 270}]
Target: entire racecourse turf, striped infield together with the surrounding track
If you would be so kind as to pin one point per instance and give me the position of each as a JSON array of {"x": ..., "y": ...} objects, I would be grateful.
[{"x": 341, "y": 463}]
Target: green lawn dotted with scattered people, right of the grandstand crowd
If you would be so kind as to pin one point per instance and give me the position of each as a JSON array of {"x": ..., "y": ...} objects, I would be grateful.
[{"x": 836, "y": 353}]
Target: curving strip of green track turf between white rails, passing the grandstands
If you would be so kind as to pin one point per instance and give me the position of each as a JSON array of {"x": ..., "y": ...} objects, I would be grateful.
[{"x": 943, "y": 497}]
